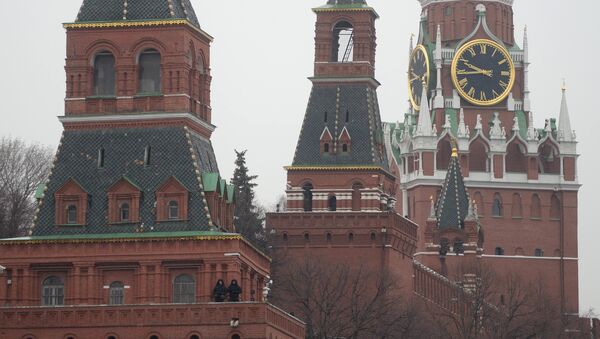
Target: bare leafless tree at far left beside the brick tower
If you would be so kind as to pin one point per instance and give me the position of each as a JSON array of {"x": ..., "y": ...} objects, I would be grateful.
[{"x": 22, "y": 169}]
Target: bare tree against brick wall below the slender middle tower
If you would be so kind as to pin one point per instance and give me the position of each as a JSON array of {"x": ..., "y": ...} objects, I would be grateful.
[{"x": 344, "y": 301}]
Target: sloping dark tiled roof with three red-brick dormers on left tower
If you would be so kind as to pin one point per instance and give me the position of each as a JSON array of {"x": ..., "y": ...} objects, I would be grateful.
[{"x": 124, "y": 157}]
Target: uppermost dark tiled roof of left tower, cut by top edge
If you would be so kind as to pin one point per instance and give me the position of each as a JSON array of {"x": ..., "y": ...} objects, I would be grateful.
[{"x": 115, "y": 10}]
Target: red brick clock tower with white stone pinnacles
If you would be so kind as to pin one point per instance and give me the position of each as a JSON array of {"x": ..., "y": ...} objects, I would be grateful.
[{"x": 522, "y": 180}]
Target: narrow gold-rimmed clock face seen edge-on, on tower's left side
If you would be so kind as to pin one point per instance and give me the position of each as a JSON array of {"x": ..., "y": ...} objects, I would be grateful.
[{"x": 418, "y": 75}]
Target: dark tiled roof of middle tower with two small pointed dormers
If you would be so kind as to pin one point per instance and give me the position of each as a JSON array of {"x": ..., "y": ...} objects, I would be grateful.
[{"x": 364, "y": 126}]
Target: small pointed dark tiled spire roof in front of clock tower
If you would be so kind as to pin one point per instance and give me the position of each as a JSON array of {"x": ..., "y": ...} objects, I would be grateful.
[{"x": 453, "y": 205}]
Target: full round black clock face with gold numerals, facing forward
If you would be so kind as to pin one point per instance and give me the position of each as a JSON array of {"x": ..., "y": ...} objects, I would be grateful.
[{"x": 483, "y": 72}]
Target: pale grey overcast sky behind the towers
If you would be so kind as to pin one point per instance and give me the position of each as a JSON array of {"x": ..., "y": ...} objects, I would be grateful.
[{"x": 261, "y": 57}]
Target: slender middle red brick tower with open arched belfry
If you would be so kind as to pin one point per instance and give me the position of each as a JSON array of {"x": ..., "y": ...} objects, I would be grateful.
[{"x": 340, "y": 190}]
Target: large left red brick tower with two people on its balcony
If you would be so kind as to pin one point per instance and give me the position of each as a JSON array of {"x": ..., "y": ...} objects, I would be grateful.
[{"x": 135, "y": 225}]
